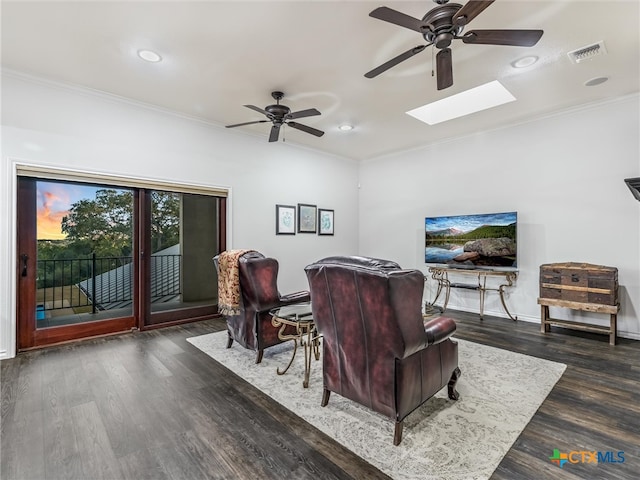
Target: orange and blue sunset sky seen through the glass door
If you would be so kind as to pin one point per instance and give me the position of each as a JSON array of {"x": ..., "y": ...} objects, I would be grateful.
[{"x": 53, "y": 201}]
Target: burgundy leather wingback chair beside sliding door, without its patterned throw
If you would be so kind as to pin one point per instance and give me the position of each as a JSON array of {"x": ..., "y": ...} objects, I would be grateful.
[{"x": 252, "y": 327}]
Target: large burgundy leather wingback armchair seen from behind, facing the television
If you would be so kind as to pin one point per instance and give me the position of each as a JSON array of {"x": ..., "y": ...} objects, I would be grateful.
[{"x": 377, "y": 348}]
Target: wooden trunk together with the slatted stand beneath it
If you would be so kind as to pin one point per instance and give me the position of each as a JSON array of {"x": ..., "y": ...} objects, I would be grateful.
[{"x": 579, "y": 286}]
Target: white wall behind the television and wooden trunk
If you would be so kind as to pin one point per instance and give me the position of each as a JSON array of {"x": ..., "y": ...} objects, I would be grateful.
[{"x": 563, "y": 175}]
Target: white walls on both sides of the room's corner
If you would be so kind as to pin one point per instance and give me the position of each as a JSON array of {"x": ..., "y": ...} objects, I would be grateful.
[{"x": 563, "y": 174}]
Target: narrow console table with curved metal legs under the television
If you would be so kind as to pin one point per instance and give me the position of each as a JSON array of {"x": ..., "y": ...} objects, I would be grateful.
[{"x": 441, "y": 275}]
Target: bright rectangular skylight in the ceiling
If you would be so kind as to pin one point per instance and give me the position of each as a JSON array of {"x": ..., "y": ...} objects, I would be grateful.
[{"x": 474, "y": 100}]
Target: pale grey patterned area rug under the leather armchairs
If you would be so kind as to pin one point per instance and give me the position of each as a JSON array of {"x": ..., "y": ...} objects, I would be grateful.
[{"x": 459, "y": 440}]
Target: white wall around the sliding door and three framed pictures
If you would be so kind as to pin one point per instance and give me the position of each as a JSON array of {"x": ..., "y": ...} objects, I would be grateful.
[{"x": 52, "y": 125}]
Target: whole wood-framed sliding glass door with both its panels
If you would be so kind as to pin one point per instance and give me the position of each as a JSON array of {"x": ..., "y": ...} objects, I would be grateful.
[{"x": 97, "y": 259}]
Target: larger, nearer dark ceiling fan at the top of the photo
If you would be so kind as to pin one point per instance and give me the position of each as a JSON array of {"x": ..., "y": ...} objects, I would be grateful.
[{"x": 443, "y": 24}]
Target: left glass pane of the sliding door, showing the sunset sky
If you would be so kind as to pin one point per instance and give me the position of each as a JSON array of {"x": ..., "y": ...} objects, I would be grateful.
[{"x": 84, "y": 253}]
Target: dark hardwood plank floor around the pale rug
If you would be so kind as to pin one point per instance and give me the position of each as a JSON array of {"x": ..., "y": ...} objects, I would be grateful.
[{"x": 150, "y": 405}]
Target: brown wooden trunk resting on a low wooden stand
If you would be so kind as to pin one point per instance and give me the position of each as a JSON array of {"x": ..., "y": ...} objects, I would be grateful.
[{"x": 579, "y": 282}]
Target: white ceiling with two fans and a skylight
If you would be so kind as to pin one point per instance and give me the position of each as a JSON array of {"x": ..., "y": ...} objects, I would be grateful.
[{"x": 220, "y": 55}]
